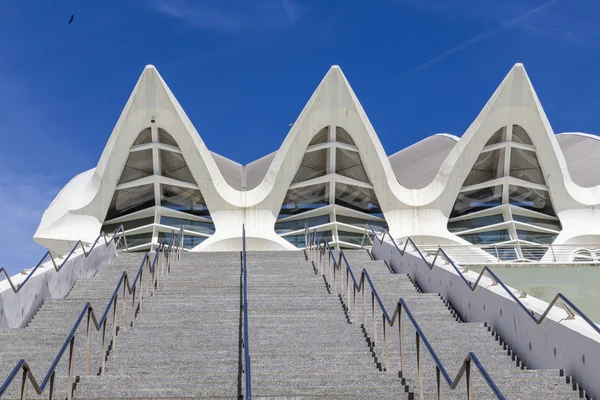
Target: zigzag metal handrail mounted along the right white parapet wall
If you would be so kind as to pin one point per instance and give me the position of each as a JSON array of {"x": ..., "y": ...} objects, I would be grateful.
[{"x": 560, "y": 300}]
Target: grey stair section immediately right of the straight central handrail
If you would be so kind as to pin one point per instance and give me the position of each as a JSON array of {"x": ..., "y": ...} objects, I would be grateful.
[{"x": 301, "y": 343}]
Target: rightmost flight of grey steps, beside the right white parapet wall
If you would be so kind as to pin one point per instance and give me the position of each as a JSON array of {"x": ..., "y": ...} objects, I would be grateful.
[{"x": 452, "y": 340}]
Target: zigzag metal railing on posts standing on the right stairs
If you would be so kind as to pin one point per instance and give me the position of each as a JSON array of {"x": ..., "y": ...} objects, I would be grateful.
[{"x": 396, "y": 318}]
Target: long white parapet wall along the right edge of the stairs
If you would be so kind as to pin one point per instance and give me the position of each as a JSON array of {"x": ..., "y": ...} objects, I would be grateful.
[{"x": 556, "y": 343}]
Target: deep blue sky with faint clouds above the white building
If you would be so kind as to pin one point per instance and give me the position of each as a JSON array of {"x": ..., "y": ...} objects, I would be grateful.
[{"x": 244, "y": 69}]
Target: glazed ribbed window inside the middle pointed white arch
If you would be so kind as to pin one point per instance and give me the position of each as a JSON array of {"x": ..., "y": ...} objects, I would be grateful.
[{"x": 331, "y": 192}]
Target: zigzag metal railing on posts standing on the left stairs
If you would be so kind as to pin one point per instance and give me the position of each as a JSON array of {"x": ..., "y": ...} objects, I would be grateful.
[{"x": 49, "y": 378}]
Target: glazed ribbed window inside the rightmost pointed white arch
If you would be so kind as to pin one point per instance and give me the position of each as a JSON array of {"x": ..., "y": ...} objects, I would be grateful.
[{"x": 505, "y": 198}]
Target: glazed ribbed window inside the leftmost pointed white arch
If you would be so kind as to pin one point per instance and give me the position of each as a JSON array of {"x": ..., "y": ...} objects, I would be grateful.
[{"x": 157, "y": 193}]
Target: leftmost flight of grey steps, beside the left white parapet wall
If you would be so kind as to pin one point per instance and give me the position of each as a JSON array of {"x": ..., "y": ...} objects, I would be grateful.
[{"x": 41, "y": 340}]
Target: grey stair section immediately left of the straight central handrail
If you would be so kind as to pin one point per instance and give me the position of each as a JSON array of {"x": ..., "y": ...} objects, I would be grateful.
[{"x": 186, "y": 343}]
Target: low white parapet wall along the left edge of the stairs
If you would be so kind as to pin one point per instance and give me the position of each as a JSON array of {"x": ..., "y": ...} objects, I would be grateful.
[{"x": 17, "y": 309}]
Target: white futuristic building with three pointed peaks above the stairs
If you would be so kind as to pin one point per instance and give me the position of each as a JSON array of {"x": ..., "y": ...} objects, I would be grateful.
[{"x": 508, "y": 179}]
